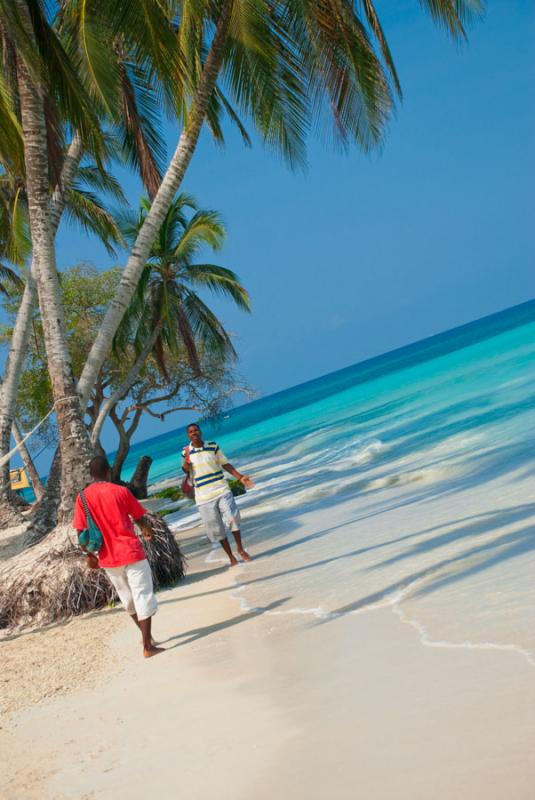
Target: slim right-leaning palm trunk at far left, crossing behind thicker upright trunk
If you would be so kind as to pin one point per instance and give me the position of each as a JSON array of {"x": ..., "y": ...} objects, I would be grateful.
[{"x": 23, "y": 323}]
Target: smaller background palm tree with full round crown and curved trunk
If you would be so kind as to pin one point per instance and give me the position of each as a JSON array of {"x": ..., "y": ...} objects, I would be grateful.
[{"x": 167, "y": 311}]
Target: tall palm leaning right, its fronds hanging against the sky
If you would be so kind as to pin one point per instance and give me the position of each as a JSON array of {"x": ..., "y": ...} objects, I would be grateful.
[{"x": 286, "y": 65}]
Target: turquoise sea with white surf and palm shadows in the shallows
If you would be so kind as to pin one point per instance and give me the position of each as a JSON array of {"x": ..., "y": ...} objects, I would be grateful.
[{"x": 407, "y": 480}]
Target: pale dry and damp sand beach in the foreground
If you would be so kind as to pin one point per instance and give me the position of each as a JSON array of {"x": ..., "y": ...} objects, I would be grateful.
[{"x": 260, "y": 704}]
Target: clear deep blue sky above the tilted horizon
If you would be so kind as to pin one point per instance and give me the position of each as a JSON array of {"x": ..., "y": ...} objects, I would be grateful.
[{"x": 361, "y": 255}]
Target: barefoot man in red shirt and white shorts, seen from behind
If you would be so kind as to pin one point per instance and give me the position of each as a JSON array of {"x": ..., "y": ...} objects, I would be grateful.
[{"x": 122, "y": 556}]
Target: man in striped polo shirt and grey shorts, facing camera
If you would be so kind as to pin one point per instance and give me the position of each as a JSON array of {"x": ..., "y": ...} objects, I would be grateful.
[{"x": 205, "y": 462}]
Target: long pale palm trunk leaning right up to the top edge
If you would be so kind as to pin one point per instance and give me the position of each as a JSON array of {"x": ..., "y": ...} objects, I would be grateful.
[{"x": 161, "y": 204}]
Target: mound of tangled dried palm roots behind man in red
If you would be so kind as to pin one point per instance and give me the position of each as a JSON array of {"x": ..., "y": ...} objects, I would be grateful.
[{"x": 50, "y": 582}]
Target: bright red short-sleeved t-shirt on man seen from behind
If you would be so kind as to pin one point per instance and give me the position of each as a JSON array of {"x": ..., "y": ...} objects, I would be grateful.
[{"x": 112, "y": 507}]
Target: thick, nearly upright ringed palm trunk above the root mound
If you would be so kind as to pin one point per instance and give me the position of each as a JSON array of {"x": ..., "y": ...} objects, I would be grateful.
[{"x": 74, "y": 440}]
